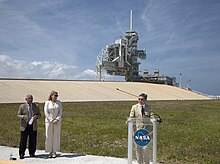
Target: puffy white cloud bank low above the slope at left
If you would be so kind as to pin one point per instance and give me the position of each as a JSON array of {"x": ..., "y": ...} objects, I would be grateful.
[{"x": 13, "y": 68}]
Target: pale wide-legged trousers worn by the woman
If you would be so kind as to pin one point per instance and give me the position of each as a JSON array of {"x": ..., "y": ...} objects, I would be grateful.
[{"x": 52, "y": 142}]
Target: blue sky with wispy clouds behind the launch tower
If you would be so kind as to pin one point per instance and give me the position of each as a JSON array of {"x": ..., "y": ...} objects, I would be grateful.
[{"x": 61, "y": 39}]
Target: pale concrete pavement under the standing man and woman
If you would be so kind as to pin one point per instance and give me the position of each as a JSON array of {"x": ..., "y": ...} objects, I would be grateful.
[{"x": 62, "y": 158}]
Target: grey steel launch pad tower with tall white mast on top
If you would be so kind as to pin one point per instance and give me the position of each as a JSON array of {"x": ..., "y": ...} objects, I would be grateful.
[{"x": 122, "y": 59}]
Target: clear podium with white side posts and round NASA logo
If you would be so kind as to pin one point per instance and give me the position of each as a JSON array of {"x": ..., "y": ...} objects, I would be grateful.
[{"x": 142, "y": 140}]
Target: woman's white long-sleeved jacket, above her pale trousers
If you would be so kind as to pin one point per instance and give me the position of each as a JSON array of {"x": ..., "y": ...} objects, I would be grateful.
[{"x": 52, "y": 111}]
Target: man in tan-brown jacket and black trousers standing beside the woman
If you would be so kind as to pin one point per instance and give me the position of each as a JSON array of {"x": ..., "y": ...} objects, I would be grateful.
[{"x": 28, "y": 113}]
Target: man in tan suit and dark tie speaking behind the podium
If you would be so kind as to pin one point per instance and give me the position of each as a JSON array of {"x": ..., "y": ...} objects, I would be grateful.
[{"x": 142, "y": 113}]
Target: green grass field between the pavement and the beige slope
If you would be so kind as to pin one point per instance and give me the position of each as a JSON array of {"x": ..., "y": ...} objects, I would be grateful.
[{"x": 189, "y": 133}]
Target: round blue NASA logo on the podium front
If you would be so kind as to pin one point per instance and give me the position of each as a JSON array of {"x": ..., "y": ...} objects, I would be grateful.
[{"x": 142, "y": 137}]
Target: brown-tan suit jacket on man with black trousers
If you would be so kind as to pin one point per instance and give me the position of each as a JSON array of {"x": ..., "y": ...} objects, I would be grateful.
[{"x": 23, "y": 110}]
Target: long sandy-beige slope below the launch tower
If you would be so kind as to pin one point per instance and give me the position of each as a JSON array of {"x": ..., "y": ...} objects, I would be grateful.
[{"x": 69, "y": 91}]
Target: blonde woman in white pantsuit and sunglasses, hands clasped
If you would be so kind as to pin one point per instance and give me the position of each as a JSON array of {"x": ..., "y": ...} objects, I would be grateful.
[{"x": 53, "y": 114}]
